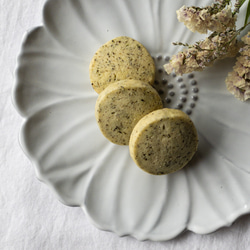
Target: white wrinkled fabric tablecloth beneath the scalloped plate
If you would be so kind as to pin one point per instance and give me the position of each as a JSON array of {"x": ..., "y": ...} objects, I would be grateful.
[{"x": 30, "y": 215}]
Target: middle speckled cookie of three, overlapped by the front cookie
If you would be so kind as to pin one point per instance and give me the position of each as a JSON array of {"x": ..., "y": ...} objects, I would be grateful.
[{"x": 121, "y": 105}]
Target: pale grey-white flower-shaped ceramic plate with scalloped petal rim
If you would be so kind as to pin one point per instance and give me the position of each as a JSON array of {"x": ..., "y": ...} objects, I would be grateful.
[{"x": 61, "y": 137}]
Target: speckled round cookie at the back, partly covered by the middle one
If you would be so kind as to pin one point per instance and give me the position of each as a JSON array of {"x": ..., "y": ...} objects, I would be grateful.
[{"x": 119, "y": 59}]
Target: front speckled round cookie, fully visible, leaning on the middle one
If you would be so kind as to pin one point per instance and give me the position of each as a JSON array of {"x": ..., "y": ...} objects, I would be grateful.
[{"x": 163, "y": 141}]
